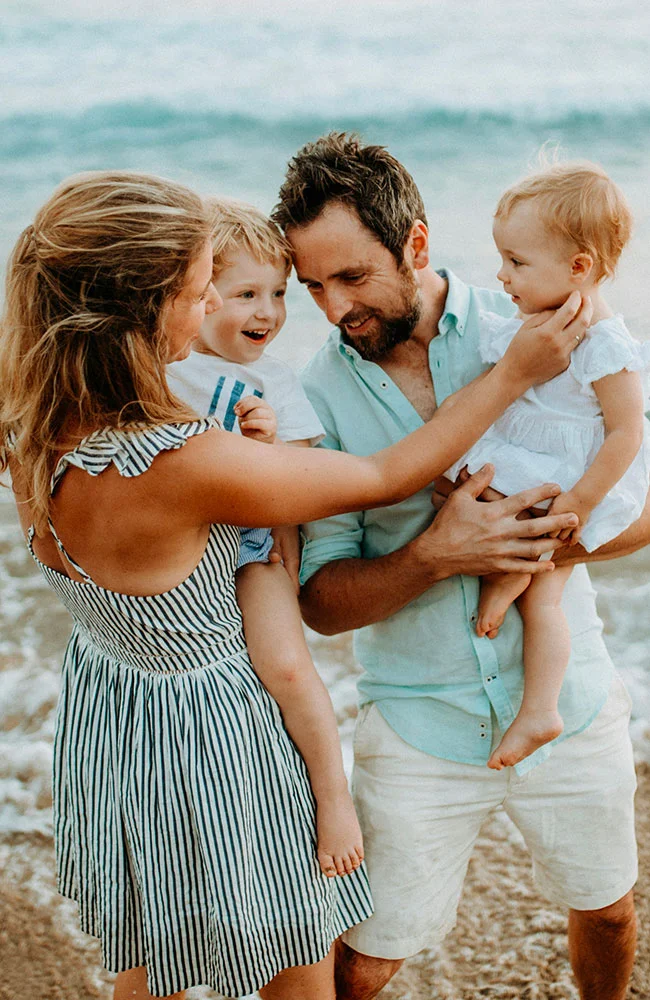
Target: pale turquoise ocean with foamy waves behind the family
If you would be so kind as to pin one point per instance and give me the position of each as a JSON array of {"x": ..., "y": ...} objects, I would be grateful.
[{"x": 219, "y": 96}]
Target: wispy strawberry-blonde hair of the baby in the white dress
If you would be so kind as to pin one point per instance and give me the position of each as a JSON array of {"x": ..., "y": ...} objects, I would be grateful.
[{"x": 581, "y": 204}]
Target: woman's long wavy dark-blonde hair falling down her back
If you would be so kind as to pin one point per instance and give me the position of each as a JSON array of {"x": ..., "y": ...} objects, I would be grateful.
[{"x": 82, "y": 340}]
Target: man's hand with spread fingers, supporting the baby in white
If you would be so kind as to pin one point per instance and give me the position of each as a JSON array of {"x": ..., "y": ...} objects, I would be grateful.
[{"x": 473, "y": 537}]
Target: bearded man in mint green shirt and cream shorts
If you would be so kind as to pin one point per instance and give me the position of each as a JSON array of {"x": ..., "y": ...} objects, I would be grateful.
[{"x": 434, "y": 695}]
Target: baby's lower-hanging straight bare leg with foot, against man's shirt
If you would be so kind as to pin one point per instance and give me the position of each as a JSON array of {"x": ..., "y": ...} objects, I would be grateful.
[{"x": 547, "y": 647}]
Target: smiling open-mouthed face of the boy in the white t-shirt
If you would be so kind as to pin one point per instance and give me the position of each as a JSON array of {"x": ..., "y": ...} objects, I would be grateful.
[{"x": 253, "y": 310}]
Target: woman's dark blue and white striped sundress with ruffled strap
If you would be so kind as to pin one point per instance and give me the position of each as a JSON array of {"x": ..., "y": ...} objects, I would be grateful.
[{"x": 184, "y": 820}]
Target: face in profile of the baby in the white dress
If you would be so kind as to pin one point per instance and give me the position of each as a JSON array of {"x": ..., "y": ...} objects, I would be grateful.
[{"x": 535, "y": 264}]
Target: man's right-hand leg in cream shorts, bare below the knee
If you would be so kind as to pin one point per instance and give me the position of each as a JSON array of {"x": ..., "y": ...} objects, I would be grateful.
[{"x": 576, "y": 813}]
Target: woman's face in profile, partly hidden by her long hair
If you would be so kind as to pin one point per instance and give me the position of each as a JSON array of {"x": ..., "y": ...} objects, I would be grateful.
[{"x": 184, "y": 314}]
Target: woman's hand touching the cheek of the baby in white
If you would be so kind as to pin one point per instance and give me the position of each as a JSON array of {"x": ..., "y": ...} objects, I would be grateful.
[{"x": 542, "y": 347}]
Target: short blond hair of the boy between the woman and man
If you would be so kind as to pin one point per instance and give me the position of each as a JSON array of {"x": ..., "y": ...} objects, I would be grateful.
[{"x": 238, "y": 226}]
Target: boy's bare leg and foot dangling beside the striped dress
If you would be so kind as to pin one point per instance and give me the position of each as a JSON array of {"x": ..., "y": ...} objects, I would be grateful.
[{"x": 276, "y": 643}]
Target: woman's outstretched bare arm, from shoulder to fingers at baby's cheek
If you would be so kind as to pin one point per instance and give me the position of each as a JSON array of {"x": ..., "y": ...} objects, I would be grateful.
[{"x": 237, "y": 481}]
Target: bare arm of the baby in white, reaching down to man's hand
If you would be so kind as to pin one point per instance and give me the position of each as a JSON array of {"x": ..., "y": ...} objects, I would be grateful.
[{"x": 621, "y": 400}]
